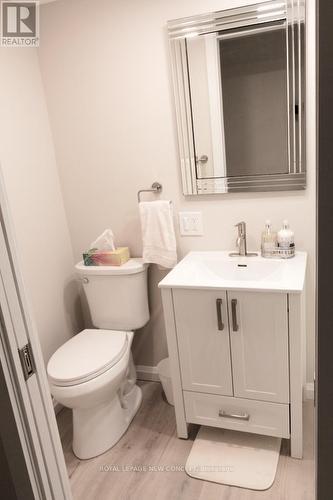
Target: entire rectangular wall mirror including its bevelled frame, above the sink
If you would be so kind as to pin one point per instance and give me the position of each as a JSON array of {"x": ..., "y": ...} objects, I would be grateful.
[{"x": 238, "y": 81}]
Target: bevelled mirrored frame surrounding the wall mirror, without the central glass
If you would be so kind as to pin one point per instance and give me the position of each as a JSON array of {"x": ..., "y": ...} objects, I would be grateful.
[{"x": 293, "y": 13}]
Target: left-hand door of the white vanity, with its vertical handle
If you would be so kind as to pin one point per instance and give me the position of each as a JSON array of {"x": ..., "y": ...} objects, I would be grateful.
[{"x": 203, "y": 340}]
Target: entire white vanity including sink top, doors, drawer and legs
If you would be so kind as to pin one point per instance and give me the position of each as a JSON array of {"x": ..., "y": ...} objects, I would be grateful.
[{"x": 236, "y": 338}]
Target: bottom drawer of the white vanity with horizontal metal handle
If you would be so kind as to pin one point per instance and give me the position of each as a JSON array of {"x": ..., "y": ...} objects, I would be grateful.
[{"x": 259, "y": 417}]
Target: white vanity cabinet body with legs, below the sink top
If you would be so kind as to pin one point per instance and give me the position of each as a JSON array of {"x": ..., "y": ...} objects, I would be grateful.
[{"x": 236, "y": 360}]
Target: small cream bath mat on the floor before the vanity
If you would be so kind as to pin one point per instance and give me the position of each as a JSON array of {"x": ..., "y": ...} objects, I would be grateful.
[{"x": 234, "y": 458}]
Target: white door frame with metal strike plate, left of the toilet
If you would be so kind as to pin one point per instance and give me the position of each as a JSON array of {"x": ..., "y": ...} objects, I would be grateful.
[{"x": 30, "y": 399}]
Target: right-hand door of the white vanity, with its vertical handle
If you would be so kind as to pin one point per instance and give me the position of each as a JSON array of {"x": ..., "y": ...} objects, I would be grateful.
[{"x": 259, "y": 345}]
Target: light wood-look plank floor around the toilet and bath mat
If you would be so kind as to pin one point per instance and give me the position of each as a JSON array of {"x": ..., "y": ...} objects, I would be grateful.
[{"x": 151, "y": 441}]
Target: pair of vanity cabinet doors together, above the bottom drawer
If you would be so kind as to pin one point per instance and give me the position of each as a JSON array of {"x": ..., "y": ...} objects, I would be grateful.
[{"x": 233, "y": 343}]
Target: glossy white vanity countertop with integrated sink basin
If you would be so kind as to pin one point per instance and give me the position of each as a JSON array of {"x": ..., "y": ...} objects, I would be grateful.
[{"x": 219, "y": 270}]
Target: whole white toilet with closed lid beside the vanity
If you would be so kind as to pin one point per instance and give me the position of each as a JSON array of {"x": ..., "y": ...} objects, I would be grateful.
[{"x": 93, "y": 373}]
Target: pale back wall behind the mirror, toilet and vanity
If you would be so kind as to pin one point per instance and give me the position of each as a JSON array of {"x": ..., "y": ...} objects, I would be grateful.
[{"x": 106, "y": 71}]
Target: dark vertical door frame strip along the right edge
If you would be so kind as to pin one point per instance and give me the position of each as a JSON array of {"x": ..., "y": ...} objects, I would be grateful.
[{"x": 324, "y": 320}]
